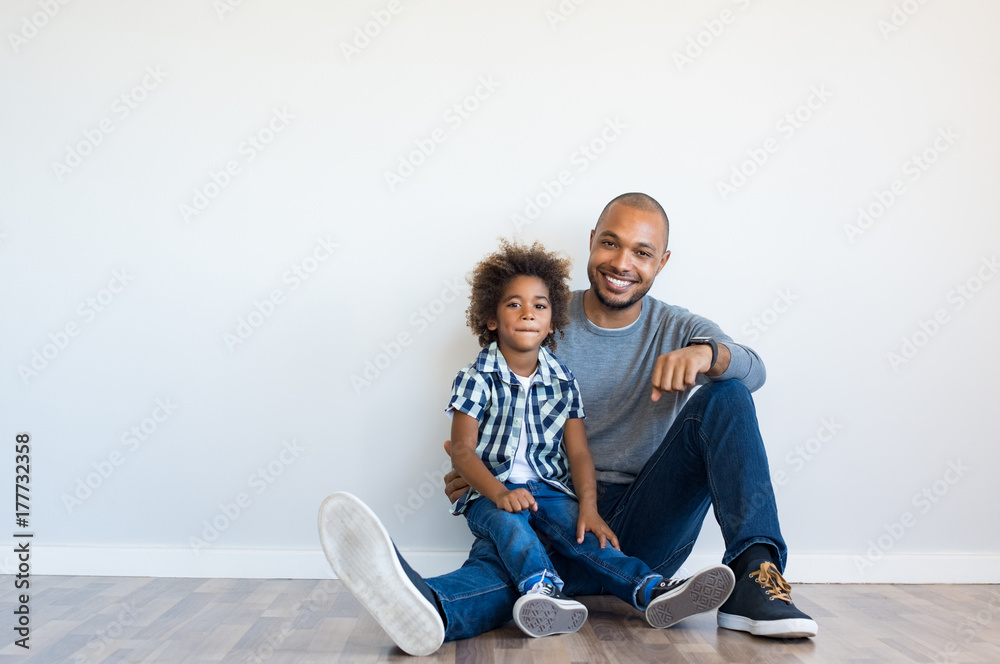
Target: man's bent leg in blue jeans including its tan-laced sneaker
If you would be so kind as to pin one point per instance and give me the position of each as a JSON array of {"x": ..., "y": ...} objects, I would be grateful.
[{"x": 712, "y": 455}]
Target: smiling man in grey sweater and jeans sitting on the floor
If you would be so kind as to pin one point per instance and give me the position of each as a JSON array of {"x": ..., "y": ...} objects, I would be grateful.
[{"x": 636, "y": 360}]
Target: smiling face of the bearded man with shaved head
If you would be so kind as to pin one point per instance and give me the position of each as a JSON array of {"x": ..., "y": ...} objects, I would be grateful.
[{"x": 627, "y": 251}]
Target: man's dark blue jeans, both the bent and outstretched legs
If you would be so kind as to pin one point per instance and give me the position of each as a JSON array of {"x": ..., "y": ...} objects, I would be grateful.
[{"x": 712, "y": 455}]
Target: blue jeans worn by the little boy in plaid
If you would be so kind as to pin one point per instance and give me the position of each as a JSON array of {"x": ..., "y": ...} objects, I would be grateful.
[{"x": 524, "y": 556}]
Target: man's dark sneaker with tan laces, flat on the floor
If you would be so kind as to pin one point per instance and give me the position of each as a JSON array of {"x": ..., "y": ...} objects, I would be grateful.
[{"x": 761, "y": 604}]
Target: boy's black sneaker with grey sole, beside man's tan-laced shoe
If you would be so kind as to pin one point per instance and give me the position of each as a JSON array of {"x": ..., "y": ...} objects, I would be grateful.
[{"x": 674, "y": 600}]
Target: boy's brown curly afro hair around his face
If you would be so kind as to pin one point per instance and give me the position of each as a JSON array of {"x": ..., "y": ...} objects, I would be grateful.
[{"x": 492, "y": 275}]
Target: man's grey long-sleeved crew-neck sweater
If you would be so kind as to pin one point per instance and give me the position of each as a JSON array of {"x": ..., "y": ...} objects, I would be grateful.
[{"x": 615, "y": 368}]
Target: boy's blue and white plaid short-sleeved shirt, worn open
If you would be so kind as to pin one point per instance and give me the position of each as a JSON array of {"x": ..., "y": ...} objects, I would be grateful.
[{"x": 488, "y": 391}]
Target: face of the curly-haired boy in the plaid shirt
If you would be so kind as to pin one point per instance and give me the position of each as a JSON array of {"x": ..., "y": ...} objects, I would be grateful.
[{"x": 524, "y": 315}]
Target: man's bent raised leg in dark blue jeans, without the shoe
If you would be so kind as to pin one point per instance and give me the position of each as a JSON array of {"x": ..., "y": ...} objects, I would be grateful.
[{"x": 712, "y": 455}]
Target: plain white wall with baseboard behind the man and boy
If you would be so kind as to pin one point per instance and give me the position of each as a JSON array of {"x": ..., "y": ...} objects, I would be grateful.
[{"x": 879, "y": 98}]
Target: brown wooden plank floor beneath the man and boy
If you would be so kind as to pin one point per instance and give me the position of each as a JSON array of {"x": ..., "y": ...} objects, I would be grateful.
[{"x": 120, "y": 619}]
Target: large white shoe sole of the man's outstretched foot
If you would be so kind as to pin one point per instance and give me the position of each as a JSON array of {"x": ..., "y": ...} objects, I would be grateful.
[{"x": 361, "y": 553}]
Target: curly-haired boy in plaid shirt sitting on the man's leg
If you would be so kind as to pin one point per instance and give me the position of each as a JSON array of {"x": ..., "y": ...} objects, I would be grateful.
[{"x": 518, "y": 439}]
